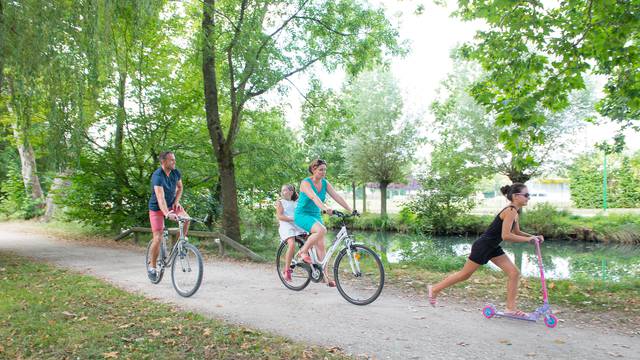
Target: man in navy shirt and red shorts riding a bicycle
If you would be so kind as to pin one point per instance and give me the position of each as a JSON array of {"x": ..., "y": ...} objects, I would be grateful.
[{"x": 166, "y": 191}]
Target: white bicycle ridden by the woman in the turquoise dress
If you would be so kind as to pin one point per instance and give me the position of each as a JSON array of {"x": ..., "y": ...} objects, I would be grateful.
[{"x": 357, "y": 270}]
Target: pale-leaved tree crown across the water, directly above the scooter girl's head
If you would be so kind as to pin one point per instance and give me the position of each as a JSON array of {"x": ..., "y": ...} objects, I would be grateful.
[{"x": 480, "y": 134}]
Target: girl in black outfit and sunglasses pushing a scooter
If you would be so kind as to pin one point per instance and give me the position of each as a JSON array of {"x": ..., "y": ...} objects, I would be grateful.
[{"x": 505, "y": 226}]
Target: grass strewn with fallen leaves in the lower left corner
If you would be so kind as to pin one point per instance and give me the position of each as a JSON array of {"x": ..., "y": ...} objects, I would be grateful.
[{"x": 48, "y": 313}]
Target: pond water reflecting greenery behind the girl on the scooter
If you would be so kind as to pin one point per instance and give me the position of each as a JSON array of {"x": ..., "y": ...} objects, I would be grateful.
[{"x": 561, "y": 259}]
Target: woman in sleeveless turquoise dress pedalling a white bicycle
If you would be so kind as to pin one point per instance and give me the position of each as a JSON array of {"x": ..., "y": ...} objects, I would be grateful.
[{"x": 313, "y": 192}]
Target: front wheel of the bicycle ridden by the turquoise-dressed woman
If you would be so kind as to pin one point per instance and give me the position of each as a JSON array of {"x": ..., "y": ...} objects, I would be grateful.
[{"x": 359, "y": 277}]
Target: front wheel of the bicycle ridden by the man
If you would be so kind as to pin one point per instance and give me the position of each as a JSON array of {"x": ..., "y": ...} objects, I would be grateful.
[{"x": 186, "y": 270}]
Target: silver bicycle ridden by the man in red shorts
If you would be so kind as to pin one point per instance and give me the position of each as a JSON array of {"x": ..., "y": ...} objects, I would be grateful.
[{"x": 184, "y": 260}]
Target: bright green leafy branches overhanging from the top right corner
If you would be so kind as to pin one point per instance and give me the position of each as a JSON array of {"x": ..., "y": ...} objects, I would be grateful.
[{"x": 536, "y": 54}]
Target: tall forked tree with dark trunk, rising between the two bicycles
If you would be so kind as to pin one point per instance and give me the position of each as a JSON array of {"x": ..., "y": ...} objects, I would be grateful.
[{"x": 251, "y": 46}]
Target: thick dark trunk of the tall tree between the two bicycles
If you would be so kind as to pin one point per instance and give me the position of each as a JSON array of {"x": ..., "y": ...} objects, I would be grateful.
[{"x": 221, "y": 147}]
